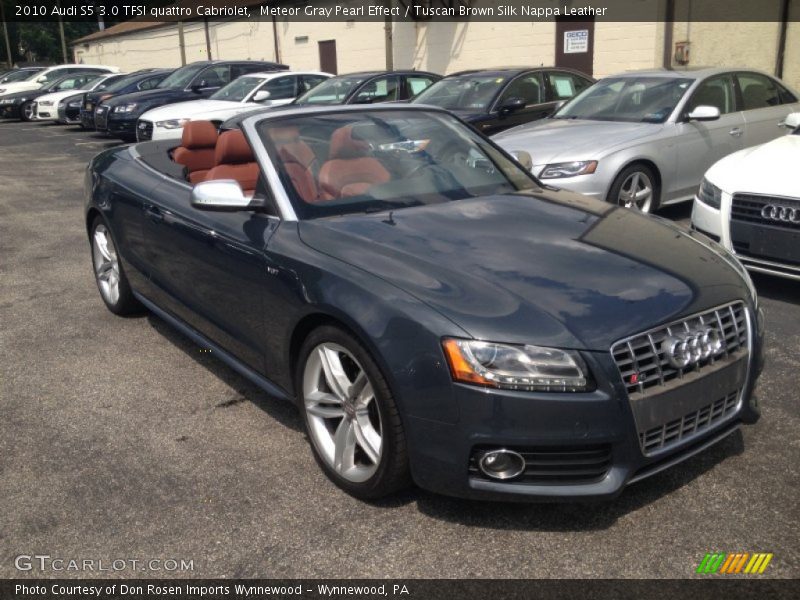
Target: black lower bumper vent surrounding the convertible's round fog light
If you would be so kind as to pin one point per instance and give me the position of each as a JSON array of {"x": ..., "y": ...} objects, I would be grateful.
[{"x": 558, "y": 465}]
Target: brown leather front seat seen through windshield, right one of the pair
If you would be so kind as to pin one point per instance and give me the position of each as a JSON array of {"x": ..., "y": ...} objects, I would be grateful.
[{"x": 349, "y": 171}]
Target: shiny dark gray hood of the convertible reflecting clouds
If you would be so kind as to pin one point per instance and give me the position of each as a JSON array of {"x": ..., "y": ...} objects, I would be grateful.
[{"x": 554, "y": 268}]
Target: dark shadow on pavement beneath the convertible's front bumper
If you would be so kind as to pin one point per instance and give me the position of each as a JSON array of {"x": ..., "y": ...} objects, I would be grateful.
[{"x": 573, "y": 516}]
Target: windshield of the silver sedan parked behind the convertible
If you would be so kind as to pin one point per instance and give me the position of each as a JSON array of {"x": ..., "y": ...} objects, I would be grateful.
[{"x": 631, "y": 99}]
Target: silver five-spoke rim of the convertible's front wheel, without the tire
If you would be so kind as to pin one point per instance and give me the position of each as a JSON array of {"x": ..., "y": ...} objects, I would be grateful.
[{"x": 342, "y": 413}]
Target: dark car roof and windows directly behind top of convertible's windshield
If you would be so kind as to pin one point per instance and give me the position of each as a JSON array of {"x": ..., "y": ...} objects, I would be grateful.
[{"x": 369, "y": 87}]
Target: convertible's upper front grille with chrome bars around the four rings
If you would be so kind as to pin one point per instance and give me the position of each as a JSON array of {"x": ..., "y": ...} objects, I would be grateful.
[{"x": 643, "y": 364}]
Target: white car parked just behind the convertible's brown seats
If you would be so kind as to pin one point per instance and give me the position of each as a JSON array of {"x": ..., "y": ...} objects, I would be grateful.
[{"x": 248, "y": 92}]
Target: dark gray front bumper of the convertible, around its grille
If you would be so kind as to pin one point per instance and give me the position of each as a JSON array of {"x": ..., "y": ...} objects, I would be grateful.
[{"x": 577, "y": 447}]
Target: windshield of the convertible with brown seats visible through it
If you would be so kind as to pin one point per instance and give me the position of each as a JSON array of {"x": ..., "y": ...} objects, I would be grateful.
[{"x": 384, "y": 161}]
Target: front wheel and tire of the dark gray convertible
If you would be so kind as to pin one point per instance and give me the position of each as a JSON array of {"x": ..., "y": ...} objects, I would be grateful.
[{"x": 358, "y": 442}]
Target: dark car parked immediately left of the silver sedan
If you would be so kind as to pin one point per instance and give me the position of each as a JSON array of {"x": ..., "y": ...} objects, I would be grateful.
[{"x": 496, "y": 99}]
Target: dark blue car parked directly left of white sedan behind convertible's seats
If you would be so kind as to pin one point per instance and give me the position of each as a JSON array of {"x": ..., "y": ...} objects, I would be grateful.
[{"x": 118, "y": 115}]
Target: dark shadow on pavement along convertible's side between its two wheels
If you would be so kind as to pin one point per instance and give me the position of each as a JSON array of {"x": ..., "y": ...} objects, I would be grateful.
[{"x": 282, "y": 411}]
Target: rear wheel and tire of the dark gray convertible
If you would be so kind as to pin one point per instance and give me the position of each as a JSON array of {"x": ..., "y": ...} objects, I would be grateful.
[{"x": 115, "y": 290}]
